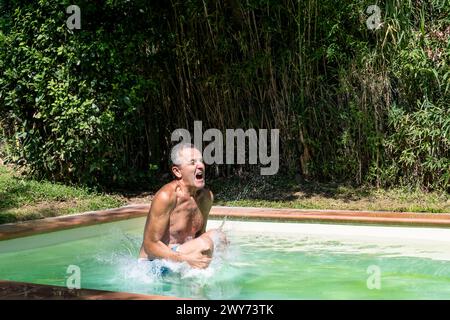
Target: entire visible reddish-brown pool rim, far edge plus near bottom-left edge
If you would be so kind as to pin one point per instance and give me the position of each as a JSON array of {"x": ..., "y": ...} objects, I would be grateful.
[{"x": 20, "y": 290}]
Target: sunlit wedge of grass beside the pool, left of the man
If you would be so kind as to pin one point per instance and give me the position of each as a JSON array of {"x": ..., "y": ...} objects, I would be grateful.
[{"x": 24, "y": 199}]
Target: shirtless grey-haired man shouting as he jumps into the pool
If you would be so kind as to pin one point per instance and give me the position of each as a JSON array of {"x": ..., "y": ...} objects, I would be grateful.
[{"x": 176, "y": 224}]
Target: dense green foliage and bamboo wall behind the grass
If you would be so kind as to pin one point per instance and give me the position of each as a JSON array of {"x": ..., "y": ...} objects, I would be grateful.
[{"x": 98, "y": 105}]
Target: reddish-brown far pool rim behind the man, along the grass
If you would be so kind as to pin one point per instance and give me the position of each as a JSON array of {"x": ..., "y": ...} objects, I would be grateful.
[{"x": 27, "y": 228}]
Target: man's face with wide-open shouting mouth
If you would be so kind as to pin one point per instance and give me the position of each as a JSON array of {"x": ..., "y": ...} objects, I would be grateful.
[{"x": 192, "y": 168}]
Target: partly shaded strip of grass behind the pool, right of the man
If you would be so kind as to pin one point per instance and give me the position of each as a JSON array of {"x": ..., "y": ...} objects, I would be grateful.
[{"x": 283, "y": 192}]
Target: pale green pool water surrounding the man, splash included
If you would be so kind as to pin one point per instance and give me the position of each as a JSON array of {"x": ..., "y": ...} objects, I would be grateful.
[{"x": 288, "y": 261}]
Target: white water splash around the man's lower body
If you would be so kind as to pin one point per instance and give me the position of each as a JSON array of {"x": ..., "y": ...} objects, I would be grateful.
[{"x": 164, "y": 276}]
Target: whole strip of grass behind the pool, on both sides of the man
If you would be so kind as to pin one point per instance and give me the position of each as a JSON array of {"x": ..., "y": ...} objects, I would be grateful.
[{"x": 24, "y": 199}]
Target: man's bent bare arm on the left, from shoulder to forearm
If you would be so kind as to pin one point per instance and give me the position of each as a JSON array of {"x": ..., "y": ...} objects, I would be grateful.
[{"x": 156, "y": 228}]
